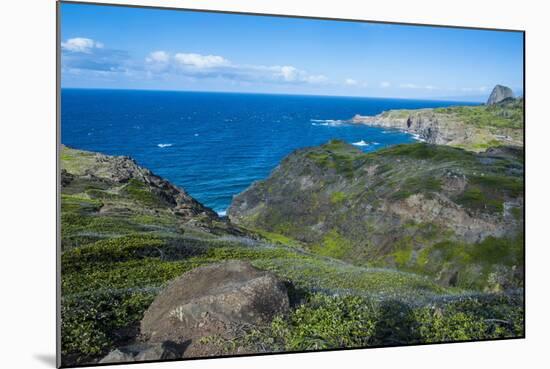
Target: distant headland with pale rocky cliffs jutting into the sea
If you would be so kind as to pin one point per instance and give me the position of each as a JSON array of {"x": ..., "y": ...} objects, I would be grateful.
[{"x": 474, "y": 128}]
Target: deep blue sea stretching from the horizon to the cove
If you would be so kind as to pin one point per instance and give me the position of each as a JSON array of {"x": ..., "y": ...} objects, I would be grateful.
[{"x": 215, "y": 145}]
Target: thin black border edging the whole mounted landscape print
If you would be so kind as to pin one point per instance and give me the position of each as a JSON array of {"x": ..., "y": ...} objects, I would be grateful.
[{"x": 160, "y": 7}]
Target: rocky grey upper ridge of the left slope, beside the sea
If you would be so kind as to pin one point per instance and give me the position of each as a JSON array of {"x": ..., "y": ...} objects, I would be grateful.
[{"x": 123, "y": 186}]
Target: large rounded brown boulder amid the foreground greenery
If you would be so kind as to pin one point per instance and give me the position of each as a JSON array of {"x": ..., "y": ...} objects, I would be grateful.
[{"x": 214, "y": 300}]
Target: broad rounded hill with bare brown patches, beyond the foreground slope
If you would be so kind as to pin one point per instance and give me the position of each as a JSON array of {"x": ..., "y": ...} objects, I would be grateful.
[{"x": 423, "y": 207}]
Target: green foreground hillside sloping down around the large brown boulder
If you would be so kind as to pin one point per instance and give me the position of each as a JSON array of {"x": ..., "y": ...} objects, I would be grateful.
[{"x": 126, "y": 233}]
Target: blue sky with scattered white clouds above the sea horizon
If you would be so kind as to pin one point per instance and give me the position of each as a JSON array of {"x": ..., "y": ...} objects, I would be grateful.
[{"x": 136, "y": 48}]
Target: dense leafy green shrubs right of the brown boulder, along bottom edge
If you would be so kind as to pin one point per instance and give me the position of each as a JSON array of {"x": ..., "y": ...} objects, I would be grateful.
[{"x": 328, "y": 322}]
